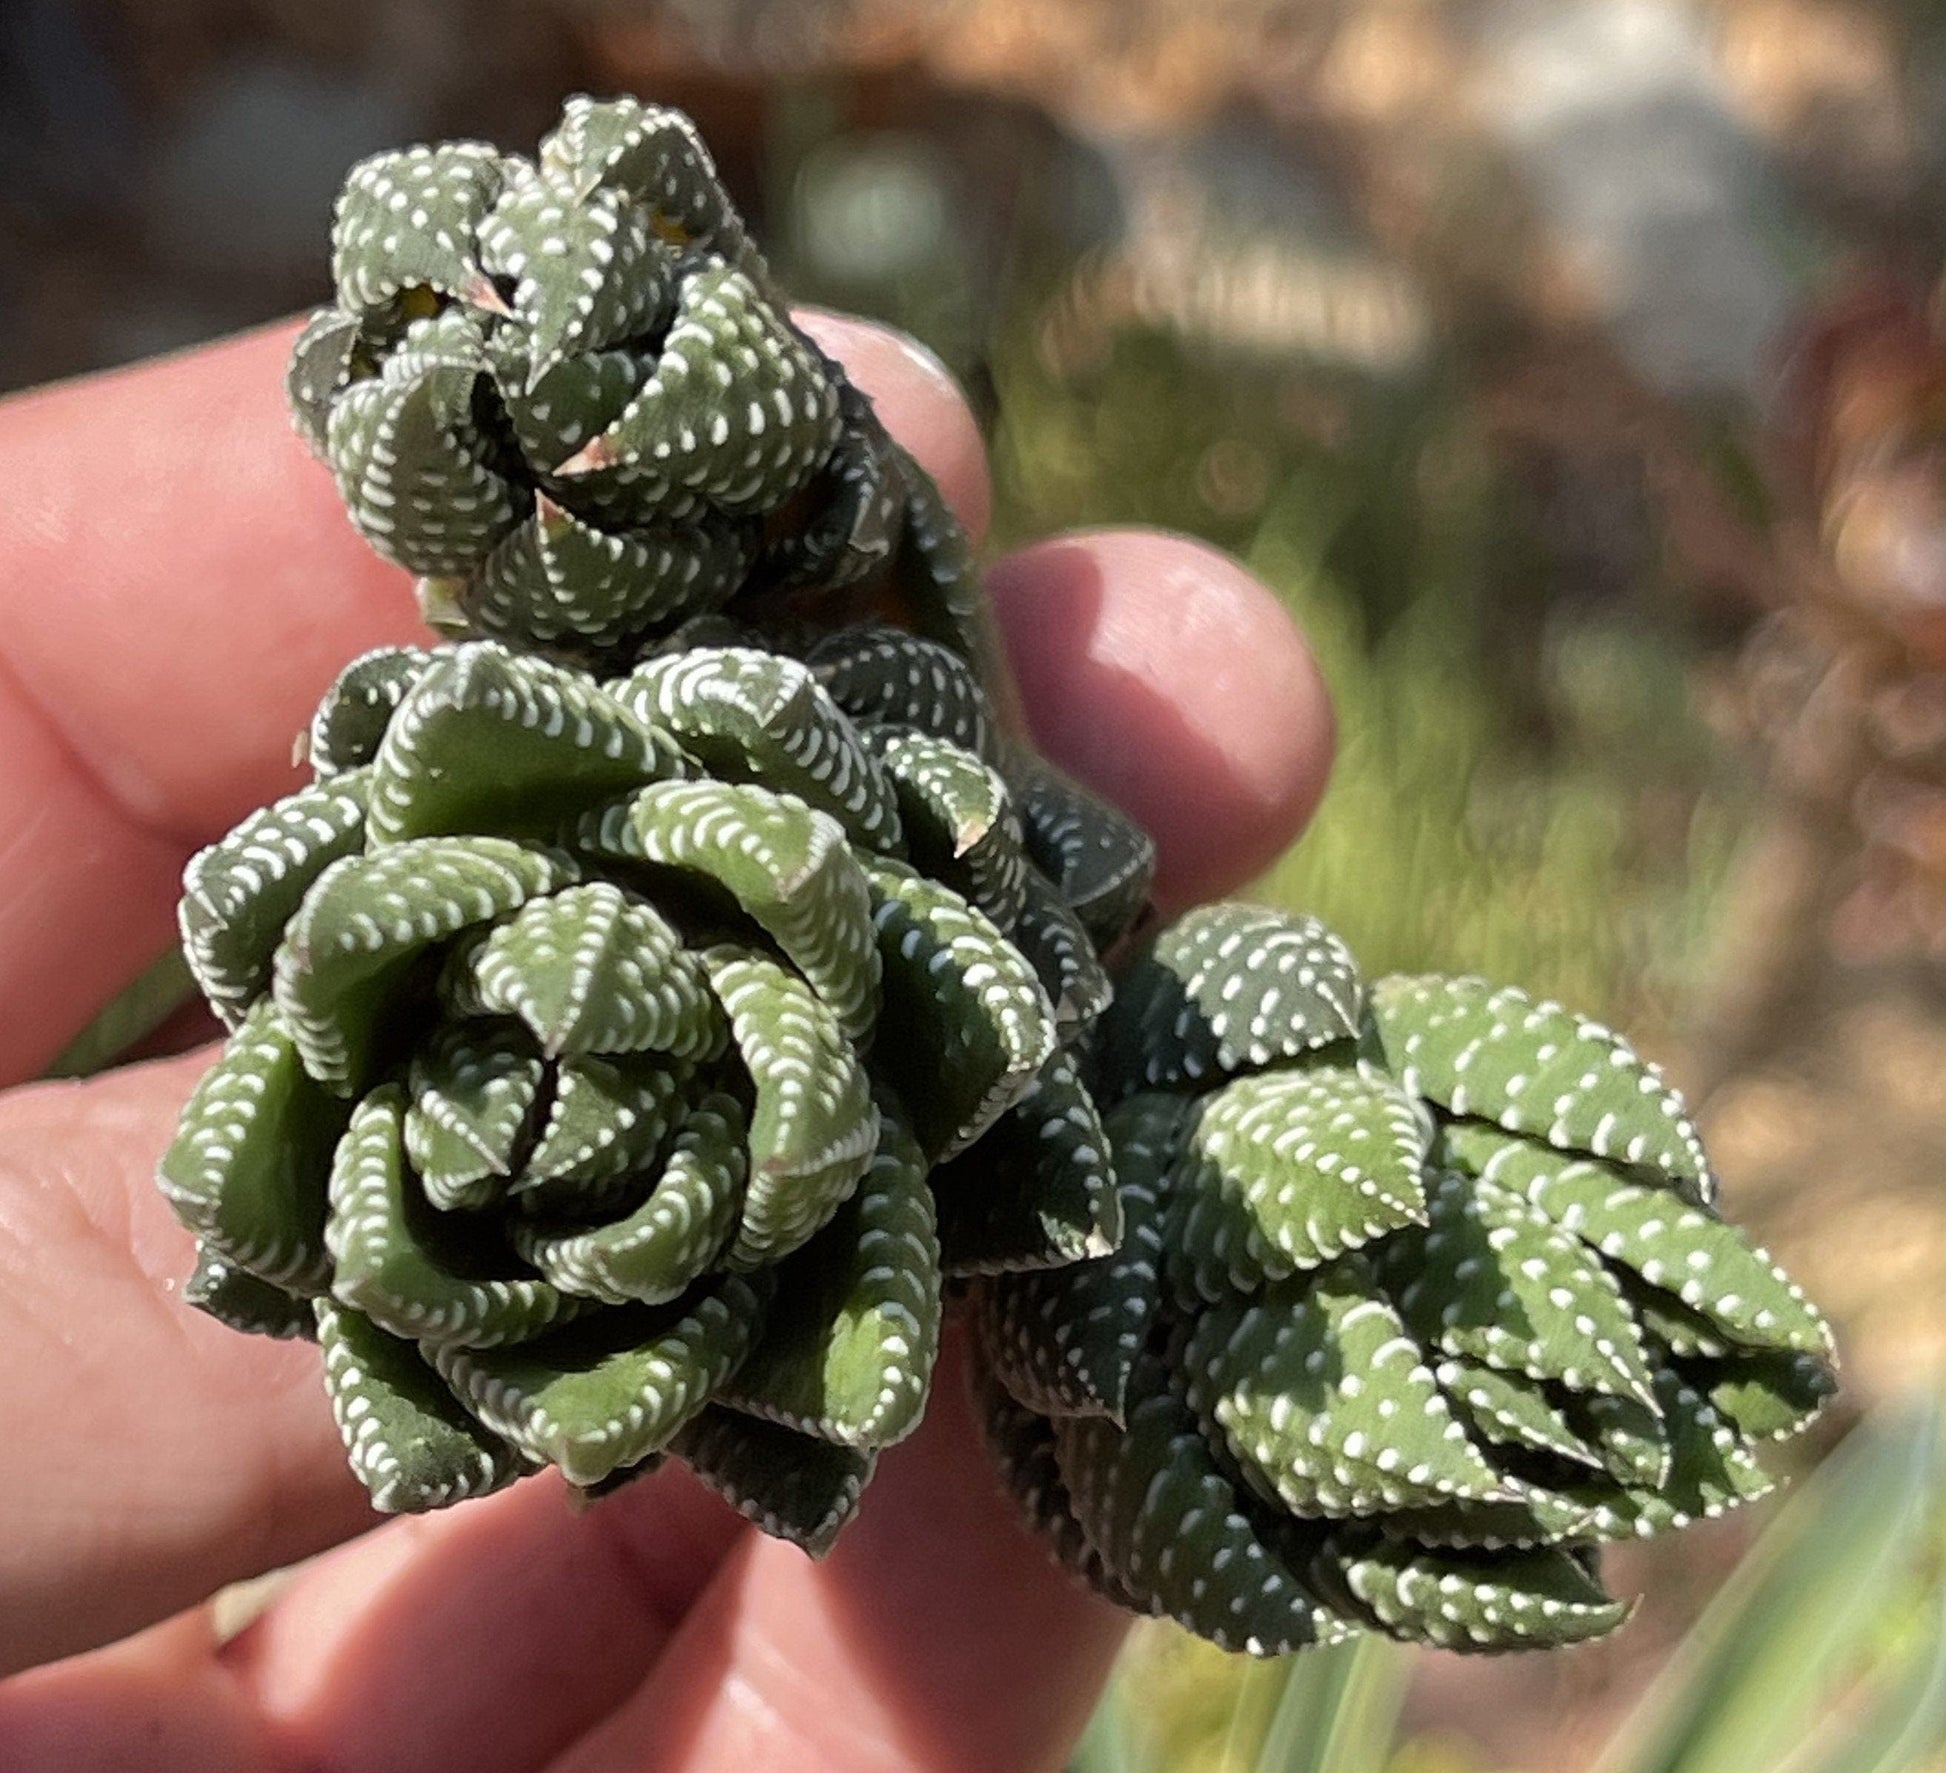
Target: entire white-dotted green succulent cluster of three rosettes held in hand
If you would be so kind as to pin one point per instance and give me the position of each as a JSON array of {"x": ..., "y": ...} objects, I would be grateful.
[{"x": 676, "y": 988}]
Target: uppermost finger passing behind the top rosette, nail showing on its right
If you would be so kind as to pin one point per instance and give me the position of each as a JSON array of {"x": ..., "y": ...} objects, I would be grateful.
[{"x": 170, "y": 616}]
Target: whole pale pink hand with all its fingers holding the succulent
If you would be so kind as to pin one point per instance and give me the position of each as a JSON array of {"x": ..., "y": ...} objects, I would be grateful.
[{"x": 178, "y": 587}]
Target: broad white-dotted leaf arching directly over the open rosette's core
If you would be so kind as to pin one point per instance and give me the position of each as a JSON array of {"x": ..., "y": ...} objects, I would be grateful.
[{"x": 591, "y": 970}]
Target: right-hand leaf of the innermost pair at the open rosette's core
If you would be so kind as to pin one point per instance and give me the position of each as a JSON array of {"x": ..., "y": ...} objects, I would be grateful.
[{"x": 610, "y": 1118}]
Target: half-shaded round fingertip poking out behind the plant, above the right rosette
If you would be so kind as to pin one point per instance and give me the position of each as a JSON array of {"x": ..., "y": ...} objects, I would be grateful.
[{"x": 1172, "y": 682}]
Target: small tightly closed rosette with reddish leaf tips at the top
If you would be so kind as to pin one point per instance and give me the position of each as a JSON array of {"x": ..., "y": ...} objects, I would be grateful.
[{"x": 567, "y": 396}]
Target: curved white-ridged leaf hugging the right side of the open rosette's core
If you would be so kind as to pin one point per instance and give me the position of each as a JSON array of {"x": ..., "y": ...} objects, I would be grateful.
[{"x": 814, "y": 1128}]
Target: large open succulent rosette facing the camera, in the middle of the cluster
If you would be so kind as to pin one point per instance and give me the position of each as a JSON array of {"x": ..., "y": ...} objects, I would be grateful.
[{"x": 620, "y": 1066}]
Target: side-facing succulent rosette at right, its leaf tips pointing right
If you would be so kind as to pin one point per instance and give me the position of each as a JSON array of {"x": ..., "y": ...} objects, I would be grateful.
[{"x": 1423, "y": 1297}]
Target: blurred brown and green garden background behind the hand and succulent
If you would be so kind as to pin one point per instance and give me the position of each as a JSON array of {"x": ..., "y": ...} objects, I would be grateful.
[{"x": 1577, "y": 373}]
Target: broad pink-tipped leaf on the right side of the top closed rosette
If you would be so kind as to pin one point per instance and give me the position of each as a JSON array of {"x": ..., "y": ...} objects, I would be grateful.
[{"x": 739, "y": 410}]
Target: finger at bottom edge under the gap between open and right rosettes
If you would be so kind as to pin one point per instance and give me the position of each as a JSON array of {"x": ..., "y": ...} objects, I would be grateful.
[{"x": 935, "y": 1640}]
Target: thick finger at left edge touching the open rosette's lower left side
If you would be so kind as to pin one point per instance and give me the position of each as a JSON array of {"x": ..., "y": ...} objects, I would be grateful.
[{"x": 155, "y": 1453}]
